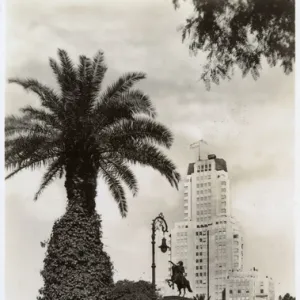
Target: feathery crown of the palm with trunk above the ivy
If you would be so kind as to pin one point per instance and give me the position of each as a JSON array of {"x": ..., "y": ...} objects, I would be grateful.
[{"x": 82, "y": 133}]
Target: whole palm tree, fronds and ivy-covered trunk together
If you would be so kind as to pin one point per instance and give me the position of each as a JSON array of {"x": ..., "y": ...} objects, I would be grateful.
[{"x": 81, "y": 133}]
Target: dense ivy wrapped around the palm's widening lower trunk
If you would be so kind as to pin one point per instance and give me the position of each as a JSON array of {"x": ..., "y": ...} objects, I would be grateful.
[{"x": 76, "y": 266}]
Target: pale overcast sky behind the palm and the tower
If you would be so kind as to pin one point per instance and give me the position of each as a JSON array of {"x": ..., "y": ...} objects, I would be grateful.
[{"x": 248, "y": 123}]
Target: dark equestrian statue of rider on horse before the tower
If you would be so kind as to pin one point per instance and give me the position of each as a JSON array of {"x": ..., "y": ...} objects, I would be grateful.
[{"x": 178, "y": 278}]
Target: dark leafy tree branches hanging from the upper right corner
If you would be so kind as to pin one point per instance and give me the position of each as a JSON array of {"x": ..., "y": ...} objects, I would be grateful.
[{"x": 239, "y": 34}]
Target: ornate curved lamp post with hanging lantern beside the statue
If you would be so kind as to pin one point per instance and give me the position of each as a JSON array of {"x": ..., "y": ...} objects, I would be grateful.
[{"x": 158, "y": 223}]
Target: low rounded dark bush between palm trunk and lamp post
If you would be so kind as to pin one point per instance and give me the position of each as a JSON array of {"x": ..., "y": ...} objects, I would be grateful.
[{"x": 130, "y": 290}]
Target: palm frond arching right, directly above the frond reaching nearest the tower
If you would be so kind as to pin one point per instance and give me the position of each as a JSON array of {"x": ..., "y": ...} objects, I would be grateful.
[{"x": 135, "y": 131}]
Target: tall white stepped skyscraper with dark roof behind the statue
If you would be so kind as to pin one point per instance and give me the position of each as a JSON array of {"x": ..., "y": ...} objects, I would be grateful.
[{"x": 209, "y": 240}]
